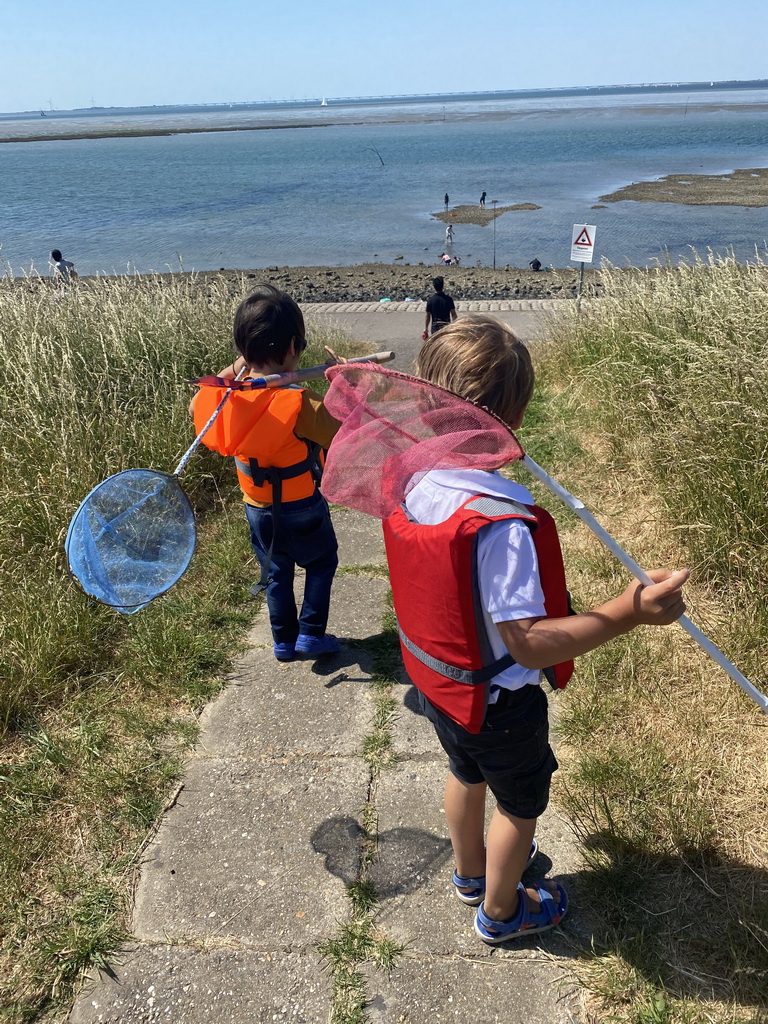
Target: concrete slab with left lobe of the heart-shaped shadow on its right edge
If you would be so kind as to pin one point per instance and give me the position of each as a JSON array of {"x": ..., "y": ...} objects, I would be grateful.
[{"x": 242, "y": 856}]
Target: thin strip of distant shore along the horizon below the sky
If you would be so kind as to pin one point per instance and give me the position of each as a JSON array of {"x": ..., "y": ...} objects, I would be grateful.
[{"x": 726, "y": 84}]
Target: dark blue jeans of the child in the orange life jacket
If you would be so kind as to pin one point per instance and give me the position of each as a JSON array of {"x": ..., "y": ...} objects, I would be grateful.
[{"x": 306, "y": 537}]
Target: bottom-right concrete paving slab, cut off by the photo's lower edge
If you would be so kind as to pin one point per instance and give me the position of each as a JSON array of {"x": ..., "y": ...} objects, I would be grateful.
[{"x": 488, "y": 990}]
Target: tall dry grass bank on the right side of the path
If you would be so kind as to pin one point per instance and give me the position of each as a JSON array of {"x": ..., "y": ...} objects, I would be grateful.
[{"x": 664, "y": 385}]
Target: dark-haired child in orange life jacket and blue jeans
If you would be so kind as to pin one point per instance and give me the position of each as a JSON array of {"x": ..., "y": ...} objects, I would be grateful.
[{"x": 277, "y": 438}]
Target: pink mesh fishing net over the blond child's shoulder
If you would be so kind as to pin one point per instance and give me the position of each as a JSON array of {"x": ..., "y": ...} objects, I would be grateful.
[{"x": 397, "y": 429}]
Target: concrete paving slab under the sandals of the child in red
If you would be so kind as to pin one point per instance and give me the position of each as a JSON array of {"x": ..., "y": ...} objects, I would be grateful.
[{"x": 415, "y": 865}]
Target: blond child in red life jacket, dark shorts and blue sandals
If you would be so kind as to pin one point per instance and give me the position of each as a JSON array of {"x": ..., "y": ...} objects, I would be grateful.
[{"x": 478, "y": 582}]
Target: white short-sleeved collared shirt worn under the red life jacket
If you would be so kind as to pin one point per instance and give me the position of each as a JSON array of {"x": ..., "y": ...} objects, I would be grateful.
[{"x": 507, "y": 565}]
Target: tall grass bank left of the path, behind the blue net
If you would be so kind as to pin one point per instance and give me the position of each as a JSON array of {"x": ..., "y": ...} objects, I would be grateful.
[{"x": 96, "y": 708}]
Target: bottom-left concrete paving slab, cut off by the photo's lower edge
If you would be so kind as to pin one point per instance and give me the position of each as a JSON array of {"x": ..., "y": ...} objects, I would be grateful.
[{"x": 156, "y": 985}]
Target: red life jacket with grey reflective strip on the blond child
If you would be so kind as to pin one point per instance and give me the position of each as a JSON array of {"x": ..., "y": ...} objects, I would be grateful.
[{"x": 434, "y": 574}]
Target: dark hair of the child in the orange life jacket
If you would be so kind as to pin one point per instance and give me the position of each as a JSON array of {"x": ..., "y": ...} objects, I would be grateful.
[{"x": 266, "y": 323}]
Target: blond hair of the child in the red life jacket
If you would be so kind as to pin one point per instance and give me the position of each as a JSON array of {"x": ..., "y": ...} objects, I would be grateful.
[{"x": 481, "y": 359}]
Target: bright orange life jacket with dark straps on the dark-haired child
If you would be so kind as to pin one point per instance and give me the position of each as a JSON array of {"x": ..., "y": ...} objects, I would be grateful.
[{"x": 258, "y": 429}]
